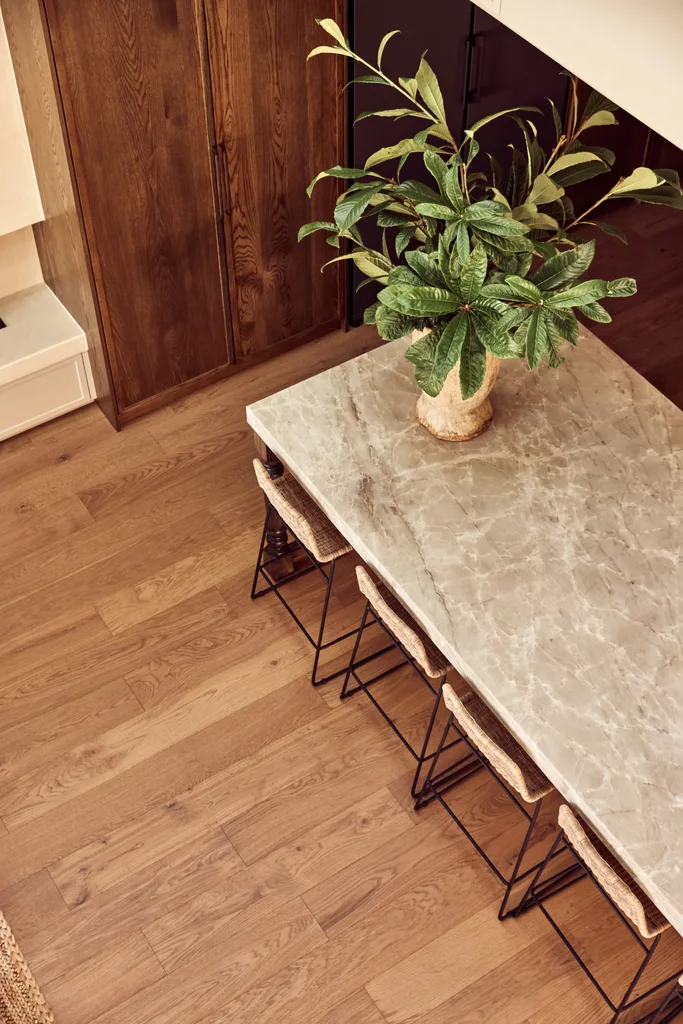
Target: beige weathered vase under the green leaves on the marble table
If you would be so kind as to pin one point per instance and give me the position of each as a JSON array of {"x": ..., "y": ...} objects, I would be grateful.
[{"x": 456, "y": 419}]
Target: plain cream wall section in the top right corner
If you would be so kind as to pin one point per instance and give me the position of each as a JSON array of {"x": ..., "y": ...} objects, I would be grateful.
[{"x": 631, "y": 51}]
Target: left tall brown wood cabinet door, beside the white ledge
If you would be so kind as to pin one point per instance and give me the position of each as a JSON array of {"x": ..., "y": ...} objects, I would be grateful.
[{"x": 133, "y": 82}]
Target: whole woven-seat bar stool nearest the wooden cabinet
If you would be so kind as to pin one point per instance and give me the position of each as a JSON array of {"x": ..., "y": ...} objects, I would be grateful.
[{"x": 312, "y": 534}]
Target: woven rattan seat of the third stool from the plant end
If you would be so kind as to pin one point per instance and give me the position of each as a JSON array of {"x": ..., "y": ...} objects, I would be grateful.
[{"x": 502, "y": 751}]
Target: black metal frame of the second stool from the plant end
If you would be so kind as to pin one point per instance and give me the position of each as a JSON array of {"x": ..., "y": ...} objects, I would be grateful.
[{"x": 421, "y": 756}]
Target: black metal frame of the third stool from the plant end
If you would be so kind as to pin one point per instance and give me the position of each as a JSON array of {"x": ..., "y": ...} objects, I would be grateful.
[{"x": 437, "y": 786}]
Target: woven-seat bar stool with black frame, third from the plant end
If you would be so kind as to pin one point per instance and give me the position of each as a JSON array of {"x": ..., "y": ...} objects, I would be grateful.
[{"x": 504, "y": 759}]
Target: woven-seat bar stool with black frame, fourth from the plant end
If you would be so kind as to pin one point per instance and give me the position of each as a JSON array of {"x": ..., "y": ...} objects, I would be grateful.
[{"x": 627, "y": 900}]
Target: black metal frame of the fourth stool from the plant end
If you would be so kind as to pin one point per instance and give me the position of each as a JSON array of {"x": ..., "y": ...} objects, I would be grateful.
[{"x": 535, "y": 899}]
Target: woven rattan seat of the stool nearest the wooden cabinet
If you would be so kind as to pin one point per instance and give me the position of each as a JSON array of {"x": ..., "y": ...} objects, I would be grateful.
[{"x": 298, "y": 510}]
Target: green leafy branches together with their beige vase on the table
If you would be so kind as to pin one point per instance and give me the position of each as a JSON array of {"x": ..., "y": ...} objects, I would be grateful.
[{"x": 479, "y": 267}]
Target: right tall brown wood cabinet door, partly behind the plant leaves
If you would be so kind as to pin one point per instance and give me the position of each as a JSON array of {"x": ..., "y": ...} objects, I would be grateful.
[{"x": 281, "y": 120}]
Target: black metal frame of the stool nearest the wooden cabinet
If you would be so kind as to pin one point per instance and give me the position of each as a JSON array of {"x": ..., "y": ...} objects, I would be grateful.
[{"x": 275, "y": 586}]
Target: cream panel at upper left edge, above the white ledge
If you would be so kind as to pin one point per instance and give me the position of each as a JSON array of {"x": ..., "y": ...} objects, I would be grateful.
[{"x": 20, "y": 199}]
